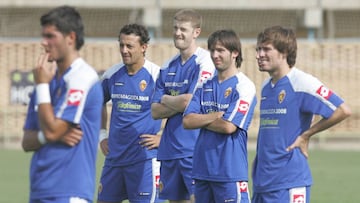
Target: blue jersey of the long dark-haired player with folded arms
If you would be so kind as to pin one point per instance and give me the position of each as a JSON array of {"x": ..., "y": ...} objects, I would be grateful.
[{"x": 223, "y": 157}]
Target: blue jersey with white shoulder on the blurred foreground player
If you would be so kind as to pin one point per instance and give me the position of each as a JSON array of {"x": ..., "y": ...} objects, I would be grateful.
[{"x": 56, "y": 169}]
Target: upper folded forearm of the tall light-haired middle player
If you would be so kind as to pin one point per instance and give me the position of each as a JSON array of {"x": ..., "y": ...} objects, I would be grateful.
[{"x": 178, "y": 103}]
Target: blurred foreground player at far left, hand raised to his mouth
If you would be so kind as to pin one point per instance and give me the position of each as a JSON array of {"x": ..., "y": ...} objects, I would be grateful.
[{"x": 67, "y": 96}]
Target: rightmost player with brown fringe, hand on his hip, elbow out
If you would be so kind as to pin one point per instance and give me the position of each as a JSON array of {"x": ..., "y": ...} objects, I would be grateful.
[{"x": 289, "y": 100}]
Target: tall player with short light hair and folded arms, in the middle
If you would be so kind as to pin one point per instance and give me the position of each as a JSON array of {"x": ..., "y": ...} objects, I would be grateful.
[{"x": 178, "y": 79}]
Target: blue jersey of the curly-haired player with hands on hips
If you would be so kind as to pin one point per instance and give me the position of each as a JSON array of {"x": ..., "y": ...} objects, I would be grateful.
[{"x": 131, "y": 97}]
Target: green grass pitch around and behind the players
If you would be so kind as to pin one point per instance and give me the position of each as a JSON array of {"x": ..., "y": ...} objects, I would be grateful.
[{"x": 336, "y": 176}]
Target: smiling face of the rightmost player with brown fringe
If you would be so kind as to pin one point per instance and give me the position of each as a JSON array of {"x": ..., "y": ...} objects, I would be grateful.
[{"x": 269, "y": 59}]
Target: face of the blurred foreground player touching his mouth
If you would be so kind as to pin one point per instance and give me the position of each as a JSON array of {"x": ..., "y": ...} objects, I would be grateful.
[{"x": 55, "y": 43}]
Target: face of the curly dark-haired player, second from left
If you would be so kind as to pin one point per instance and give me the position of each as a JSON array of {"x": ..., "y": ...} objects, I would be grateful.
[{"x": 132, "y": 52}]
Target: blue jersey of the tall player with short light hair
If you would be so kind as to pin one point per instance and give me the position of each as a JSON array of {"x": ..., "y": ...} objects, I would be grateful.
[{"x": 176, "y": 79}]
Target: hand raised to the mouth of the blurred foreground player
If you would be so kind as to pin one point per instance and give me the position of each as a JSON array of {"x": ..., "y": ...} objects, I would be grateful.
[{"x": 45, "y": 70}]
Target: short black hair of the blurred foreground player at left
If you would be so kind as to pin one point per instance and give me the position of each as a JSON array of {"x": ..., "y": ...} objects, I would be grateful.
[{"x": 66, "y": 19}]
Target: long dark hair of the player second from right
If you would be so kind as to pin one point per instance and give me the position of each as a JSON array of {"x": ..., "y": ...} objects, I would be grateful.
[{"x": 230, "y": 40}]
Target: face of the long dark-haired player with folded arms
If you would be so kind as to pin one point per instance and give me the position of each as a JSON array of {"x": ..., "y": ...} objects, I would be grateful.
[{"x": 222, "y": 57}]
